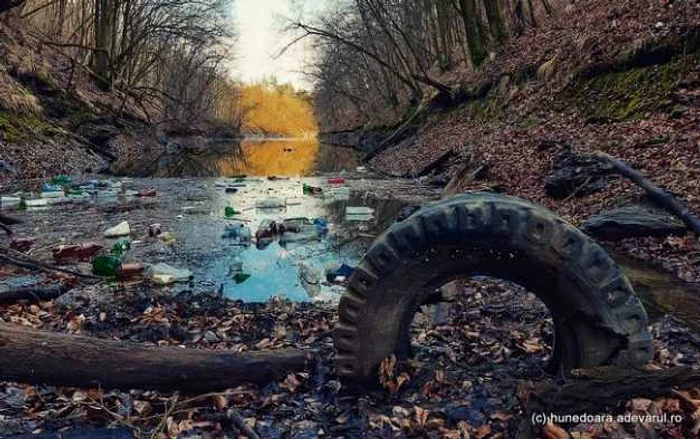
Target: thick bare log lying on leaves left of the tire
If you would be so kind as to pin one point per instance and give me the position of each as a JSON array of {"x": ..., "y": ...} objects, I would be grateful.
[{"x": 38, "y": 357}]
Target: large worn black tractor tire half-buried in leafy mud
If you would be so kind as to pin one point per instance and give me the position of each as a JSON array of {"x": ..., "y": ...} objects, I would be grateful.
[{"x": 597, "y": 317}]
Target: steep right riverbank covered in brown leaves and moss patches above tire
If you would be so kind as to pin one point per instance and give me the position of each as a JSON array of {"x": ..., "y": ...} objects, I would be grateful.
[{"x": 627, "y": 85}]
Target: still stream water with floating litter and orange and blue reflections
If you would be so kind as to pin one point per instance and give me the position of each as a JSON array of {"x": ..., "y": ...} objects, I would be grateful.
[{"x": 193, "y": 210}]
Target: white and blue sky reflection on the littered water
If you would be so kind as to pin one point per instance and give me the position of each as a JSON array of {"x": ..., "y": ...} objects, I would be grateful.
[{"x": 276, "y": 267}]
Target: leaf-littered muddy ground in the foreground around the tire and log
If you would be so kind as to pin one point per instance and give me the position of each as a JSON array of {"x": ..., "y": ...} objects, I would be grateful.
[{"x": 472, "y": 373}]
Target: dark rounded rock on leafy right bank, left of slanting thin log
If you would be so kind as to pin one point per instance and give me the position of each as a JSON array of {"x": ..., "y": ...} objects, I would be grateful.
[{"x": 576, "y": 173}]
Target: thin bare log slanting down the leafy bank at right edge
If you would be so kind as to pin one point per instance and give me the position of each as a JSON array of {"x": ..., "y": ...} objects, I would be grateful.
[{"x": 656, "y": 194}]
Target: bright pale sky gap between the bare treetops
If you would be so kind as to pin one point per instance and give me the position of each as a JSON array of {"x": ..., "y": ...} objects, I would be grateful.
[{"x": 259, "y": 26}]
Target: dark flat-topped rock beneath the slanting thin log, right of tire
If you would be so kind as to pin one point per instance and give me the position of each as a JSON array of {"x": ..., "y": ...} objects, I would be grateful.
[{"x": 632, "y": 221}]
